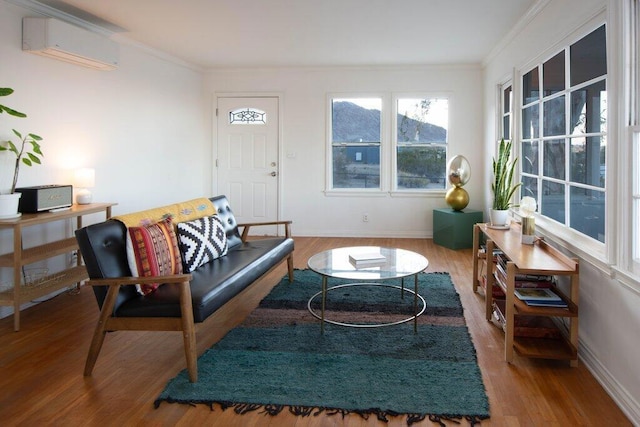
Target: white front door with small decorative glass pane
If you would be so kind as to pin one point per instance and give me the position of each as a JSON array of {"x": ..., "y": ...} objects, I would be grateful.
[{"x": 248, "y": 133}]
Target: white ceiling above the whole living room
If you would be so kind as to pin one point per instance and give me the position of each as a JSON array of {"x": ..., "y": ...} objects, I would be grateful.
[{"x": 275, "y": 33}]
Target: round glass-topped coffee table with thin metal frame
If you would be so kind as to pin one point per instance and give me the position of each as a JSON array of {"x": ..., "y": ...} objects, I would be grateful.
[{"x": 369, "y": 266}]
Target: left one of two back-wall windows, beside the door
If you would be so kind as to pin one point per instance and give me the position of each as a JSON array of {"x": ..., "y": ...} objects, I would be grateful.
[{"x": 355, "y": 142}]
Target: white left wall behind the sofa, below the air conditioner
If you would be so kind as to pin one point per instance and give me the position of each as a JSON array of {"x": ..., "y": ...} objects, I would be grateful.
[{"x": 144, "y": 127}]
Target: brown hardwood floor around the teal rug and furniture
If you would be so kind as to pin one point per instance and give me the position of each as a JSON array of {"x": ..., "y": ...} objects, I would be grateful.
[{"x": 42, "y": 383}]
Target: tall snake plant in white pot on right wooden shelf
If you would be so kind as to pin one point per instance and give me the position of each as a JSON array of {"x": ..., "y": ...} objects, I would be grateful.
[{"x": 502, "y": 186}]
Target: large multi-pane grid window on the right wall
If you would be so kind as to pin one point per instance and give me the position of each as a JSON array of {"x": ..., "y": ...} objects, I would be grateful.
[{"x": 564, "y": 135}]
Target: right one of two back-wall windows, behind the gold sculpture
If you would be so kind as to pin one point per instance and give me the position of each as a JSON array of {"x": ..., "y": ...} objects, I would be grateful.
[{"x": 421, "y": 143}]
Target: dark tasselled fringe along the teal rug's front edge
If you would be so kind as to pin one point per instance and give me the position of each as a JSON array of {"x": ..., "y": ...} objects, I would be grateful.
[{"x": 305, "y": 411}]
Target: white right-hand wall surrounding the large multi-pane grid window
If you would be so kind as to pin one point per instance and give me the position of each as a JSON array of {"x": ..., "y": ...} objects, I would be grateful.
[{"x": 609, "y": 315}]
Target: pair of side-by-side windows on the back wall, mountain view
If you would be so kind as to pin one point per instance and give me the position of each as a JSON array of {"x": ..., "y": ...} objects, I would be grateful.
[{"x": 364, "y": 156}]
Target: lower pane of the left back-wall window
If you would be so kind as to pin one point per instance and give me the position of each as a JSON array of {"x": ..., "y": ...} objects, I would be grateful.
[{"x": 356, "y": 166}]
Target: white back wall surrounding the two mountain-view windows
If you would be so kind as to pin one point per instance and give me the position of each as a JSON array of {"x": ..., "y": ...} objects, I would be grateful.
[{"x": 304, "y": 111}]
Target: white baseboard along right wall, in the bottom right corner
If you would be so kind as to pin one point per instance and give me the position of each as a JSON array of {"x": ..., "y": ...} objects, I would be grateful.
[{"x": 627, "y": 403}]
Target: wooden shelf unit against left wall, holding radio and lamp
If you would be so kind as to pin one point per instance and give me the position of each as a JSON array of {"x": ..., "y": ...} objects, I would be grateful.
[{"x": 20, "y": 257}]
